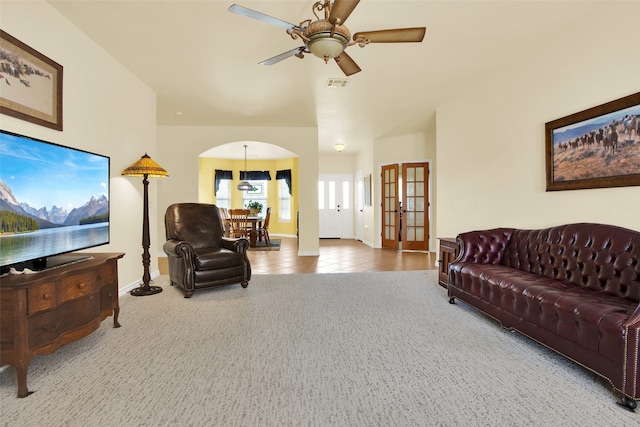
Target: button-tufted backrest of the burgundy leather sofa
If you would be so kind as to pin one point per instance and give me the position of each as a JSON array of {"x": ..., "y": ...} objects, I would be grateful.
[{"x": 597, "y": 256}]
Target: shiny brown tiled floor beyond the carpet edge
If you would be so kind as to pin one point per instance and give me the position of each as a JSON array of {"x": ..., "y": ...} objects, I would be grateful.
[{"x": 336, "y": 256}]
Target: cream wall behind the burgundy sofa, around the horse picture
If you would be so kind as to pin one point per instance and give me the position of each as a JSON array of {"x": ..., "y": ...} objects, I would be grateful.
[{"x": 490, "y": 140}]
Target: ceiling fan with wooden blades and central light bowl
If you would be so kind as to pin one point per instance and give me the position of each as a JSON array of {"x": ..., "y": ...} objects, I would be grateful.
[{"x": 327, "y": 37}]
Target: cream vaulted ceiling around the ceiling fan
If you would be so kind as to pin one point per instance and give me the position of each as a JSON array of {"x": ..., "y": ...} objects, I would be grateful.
[{"x": 203, "y": 60}]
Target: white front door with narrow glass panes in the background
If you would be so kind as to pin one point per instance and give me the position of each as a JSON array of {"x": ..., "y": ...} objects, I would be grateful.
[{"x": 335, "y": 203}]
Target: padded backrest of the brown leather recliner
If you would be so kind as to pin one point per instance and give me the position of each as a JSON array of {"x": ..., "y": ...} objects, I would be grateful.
[{"x": 197, "y": 223}]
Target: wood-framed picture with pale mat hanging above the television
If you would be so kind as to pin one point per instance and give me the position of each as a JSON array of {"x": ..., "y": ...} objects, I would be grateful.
[{"x": 30, "y": 84}]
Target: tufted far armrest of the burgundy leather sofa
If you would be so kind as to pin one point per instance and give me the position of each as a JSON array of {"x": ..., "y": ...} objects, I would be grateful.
[{"x": 483, "y": 247}]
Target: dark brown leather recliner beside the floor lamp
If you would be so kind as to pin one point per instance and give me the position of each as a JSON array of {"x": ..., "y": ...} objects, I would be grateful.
[{"x": 199, "y": 254}]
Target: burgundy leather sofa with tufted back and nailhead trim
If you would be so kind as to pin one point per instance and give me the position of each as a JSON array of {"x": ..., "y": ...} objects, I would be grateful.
[{"x": 574, "y": 288}]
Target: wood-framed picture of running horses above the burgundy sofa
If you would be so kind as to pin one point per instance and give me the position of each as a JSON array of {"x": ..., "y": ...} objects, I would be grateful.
[{"x": 595, "y": 148}]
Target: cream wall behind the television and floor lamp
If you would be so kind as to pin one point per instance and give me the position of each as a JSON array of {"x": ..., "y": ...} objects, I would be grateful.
[{"x": 106, "y": 110}]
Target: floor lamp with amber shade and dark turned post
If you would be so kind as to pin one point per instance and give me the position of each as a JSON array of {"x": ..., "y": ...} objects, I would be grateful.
[{"x": 146, "y": 168}]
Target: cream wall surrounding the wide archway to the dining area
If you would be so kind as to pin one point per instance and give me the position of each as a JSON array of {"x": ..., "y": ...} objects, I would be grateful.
[{"x": 179, "y": 147}]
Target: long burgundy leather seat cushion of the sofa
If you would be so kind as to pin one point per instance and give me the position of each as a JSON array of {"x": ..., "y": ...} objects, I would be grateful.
[{"x": 590, "y": 318}]
